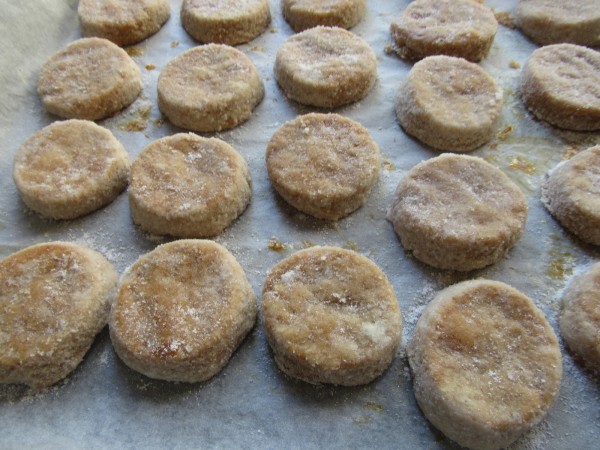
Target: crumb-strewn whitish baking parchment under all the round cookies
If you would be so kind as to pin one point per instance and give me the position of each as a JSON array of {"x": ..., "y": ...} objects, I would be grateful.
[{"x": 250, "y": 403}]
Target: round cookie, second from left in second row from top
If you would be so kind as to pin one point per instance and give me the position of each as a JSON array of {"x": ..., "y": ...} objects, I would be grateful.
[{"x": 209, "y": 88}]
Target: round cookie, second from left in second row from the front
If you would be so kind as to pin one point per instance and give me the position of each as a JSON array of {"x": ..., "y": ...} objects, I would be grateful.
[{"x": 188, "y": 186}]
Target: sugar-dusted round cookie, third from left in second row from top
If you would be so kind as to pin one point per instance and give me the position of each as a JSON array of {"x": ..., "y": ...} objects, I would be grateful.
[{"x": 325, "y": 67}]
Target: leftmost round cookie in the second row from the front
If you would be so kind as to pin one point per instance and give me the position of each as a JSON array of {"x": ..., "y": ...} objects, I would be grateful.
[{"x": 70, "y": 168}]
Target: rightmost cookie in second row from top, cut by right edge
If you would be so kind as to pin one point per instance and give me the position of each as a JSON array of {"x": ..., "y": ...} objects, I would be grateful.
[{"x": 561, "y": 84}]
